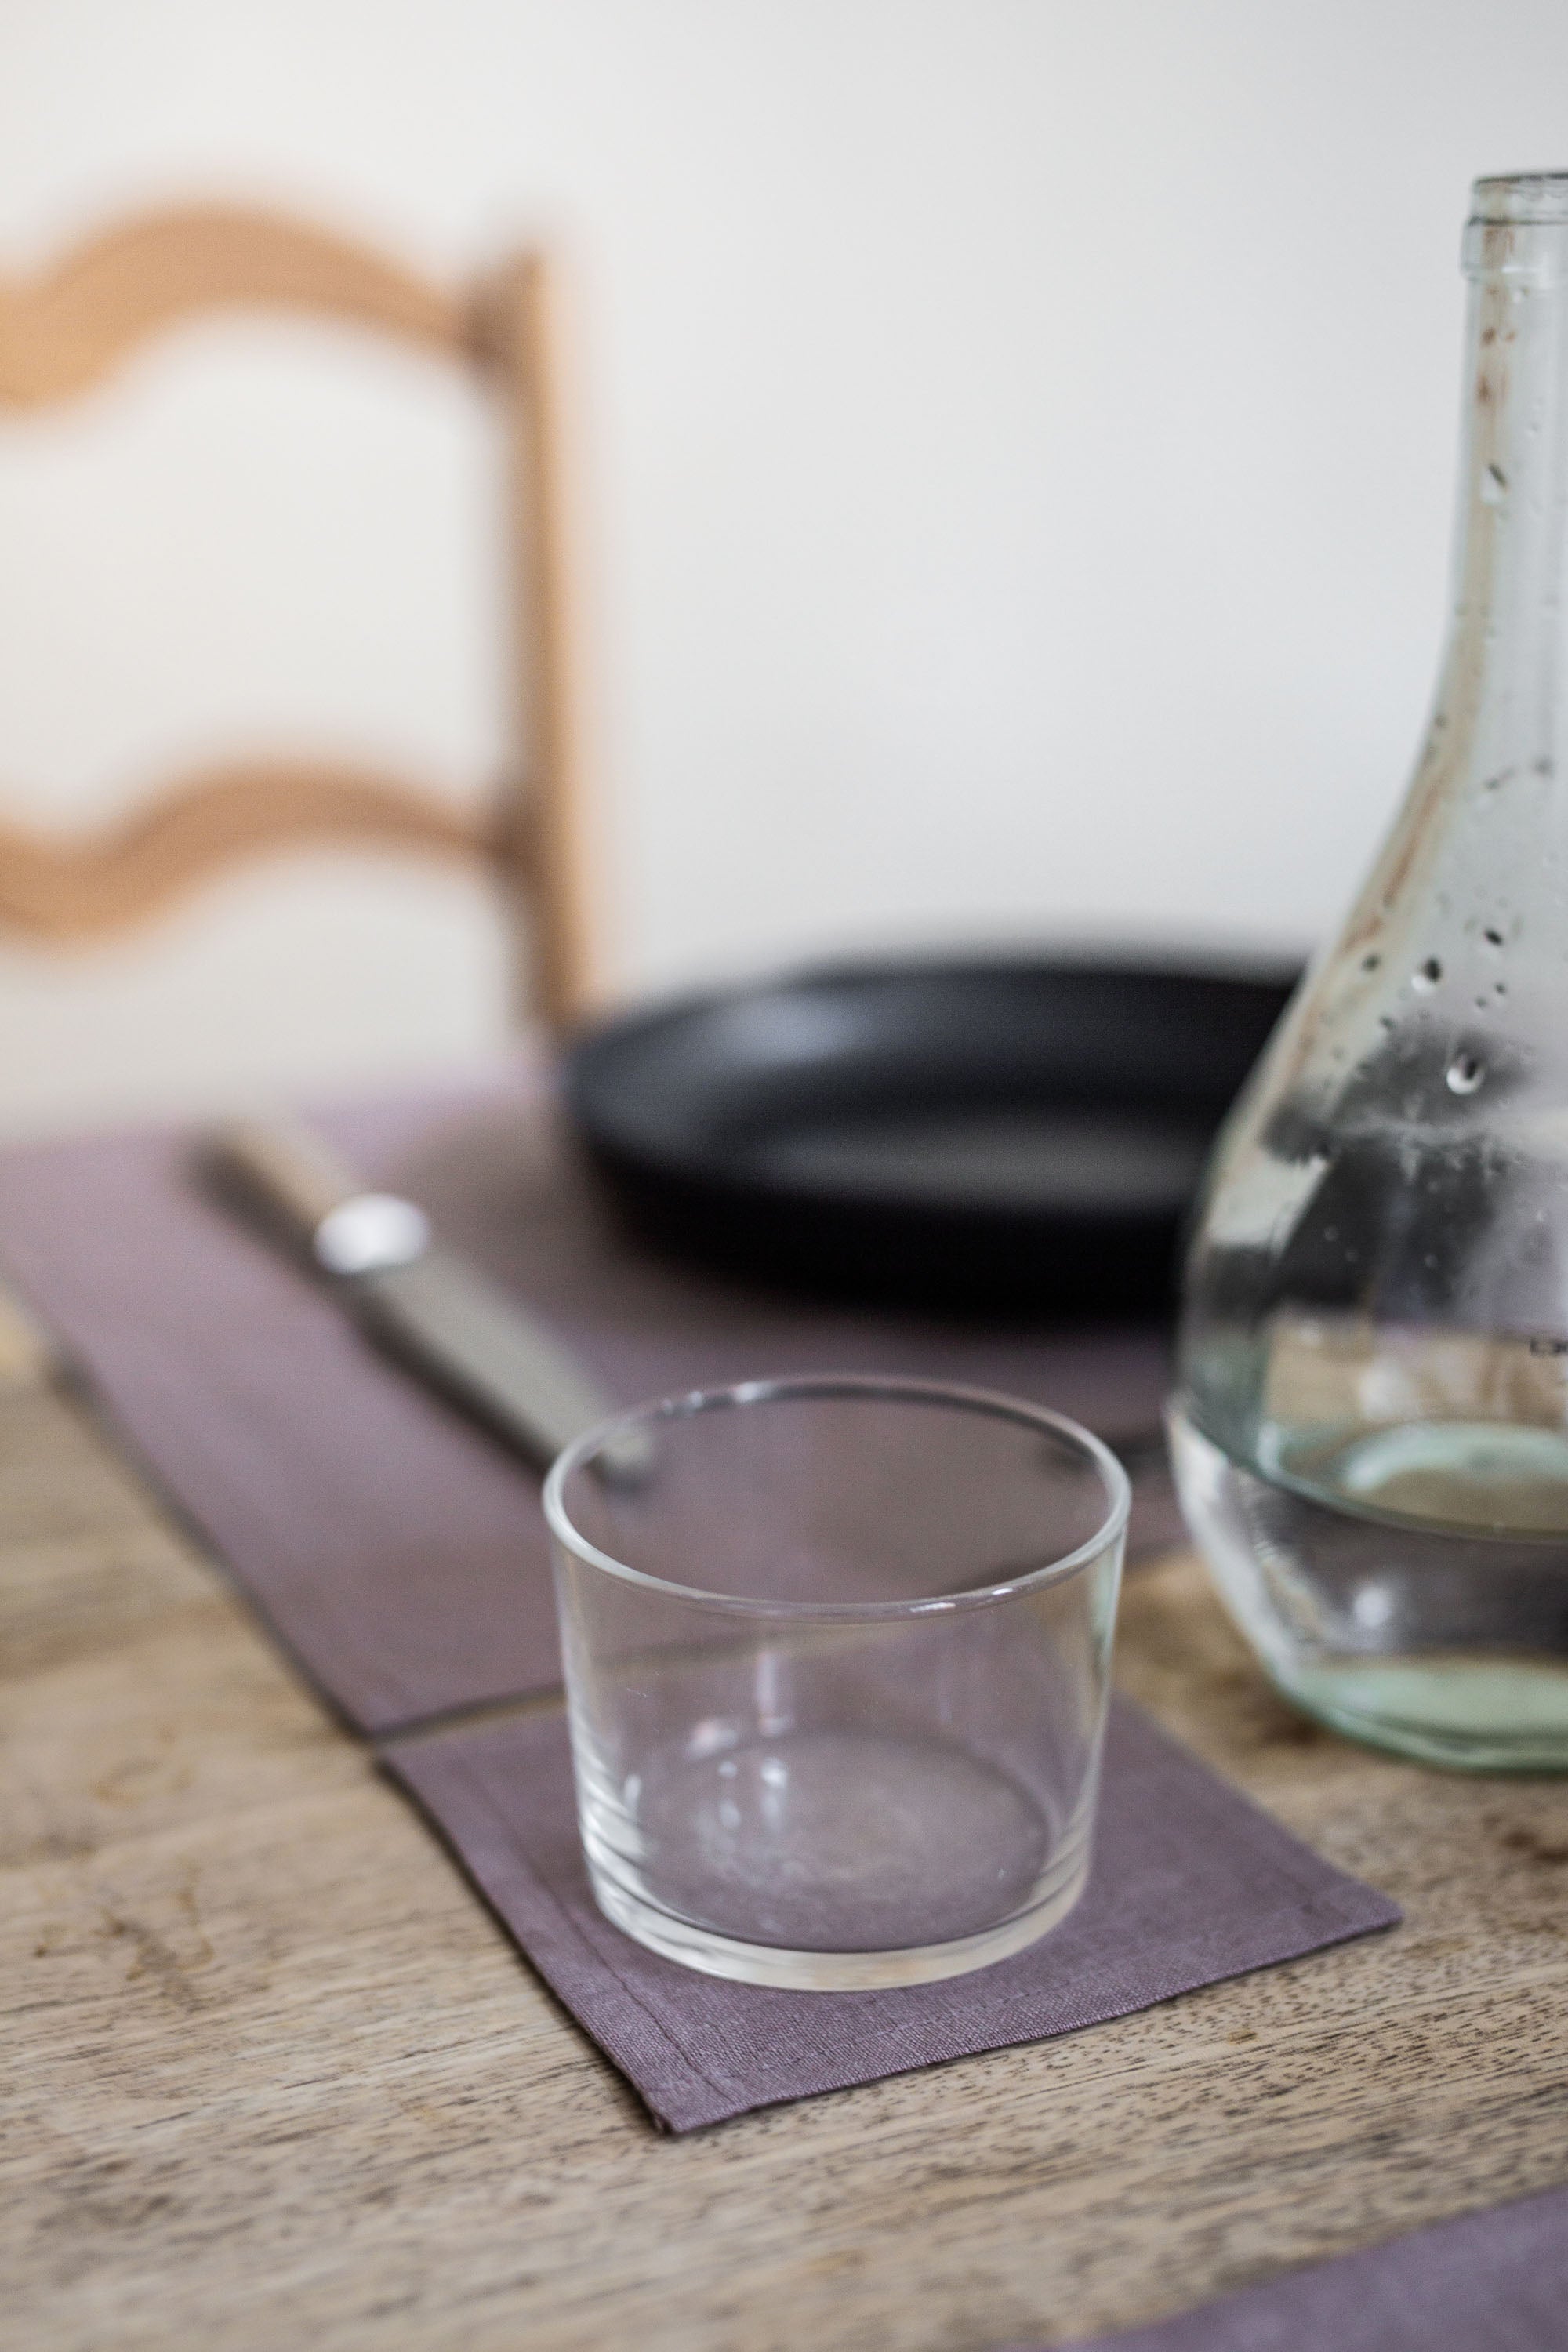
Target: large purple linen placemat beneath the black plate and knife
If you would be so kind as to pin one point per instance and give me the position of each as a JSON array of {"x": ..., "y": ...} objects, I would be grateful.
[{"x": 398, "y": 1551}]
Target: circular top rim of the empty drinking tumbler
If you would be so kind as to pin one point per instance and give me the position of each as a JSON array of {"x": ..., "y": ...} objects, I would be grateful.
[{"x": 685, "y": 1405}]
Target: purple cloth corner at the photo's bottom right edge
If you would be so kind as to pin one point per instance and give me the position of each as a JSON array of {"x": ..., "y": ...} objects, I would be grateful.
[{"x": 1487, "y": 2283}]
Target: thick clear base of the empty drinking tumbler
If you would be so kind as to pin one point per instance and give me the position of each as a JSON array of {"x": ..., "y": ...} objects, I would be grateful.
[{"x": 838, "y": 1972}]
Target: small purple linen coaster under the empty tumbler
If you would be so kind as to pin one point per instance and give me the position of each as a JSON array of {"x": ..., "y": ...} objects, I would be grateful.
[{"x": 1191, "y": 1885}]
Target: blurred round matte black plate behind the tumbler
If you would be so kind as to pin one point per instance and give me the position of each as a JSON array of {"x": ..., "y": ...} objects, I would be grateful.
[{"x": 986, "y": 1137}]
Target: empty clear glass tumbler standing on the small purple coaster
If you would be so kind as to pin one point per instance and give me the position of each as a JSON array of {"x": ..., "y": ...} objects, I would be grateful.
[{"x": 836, "y": 1671}]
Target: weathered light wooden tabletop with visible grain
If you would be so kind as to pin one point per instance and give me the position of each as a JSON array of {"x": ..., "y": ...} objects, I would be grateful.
[{"x": 276, "y": 2078}]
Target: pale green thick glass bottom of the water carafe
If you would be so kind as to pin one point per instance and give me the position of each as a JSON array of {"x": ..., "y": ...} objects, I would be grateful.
[{"x": 1463, "y": 1713}]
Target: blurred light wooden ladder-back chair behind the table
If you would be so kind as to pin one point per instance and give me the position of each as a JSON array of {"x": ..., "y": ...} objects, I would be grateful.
[{"x": 69, "y": 328}]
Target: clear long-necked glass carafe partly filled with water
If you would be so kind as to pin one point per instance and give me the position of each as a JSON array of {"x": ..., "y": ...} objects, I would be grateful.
[{"x": 1372, "y": 1419}]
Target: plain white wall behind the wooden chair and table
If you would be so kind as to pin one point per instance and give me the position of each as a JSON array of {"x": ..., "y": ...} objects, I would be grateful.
[{"x": 1024, "y": 448}]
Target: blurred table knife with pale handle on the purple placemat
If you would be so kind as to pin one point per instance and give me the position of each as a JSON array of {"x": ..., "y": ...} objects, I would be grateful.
[{"x": 413, "y": 1295}]
